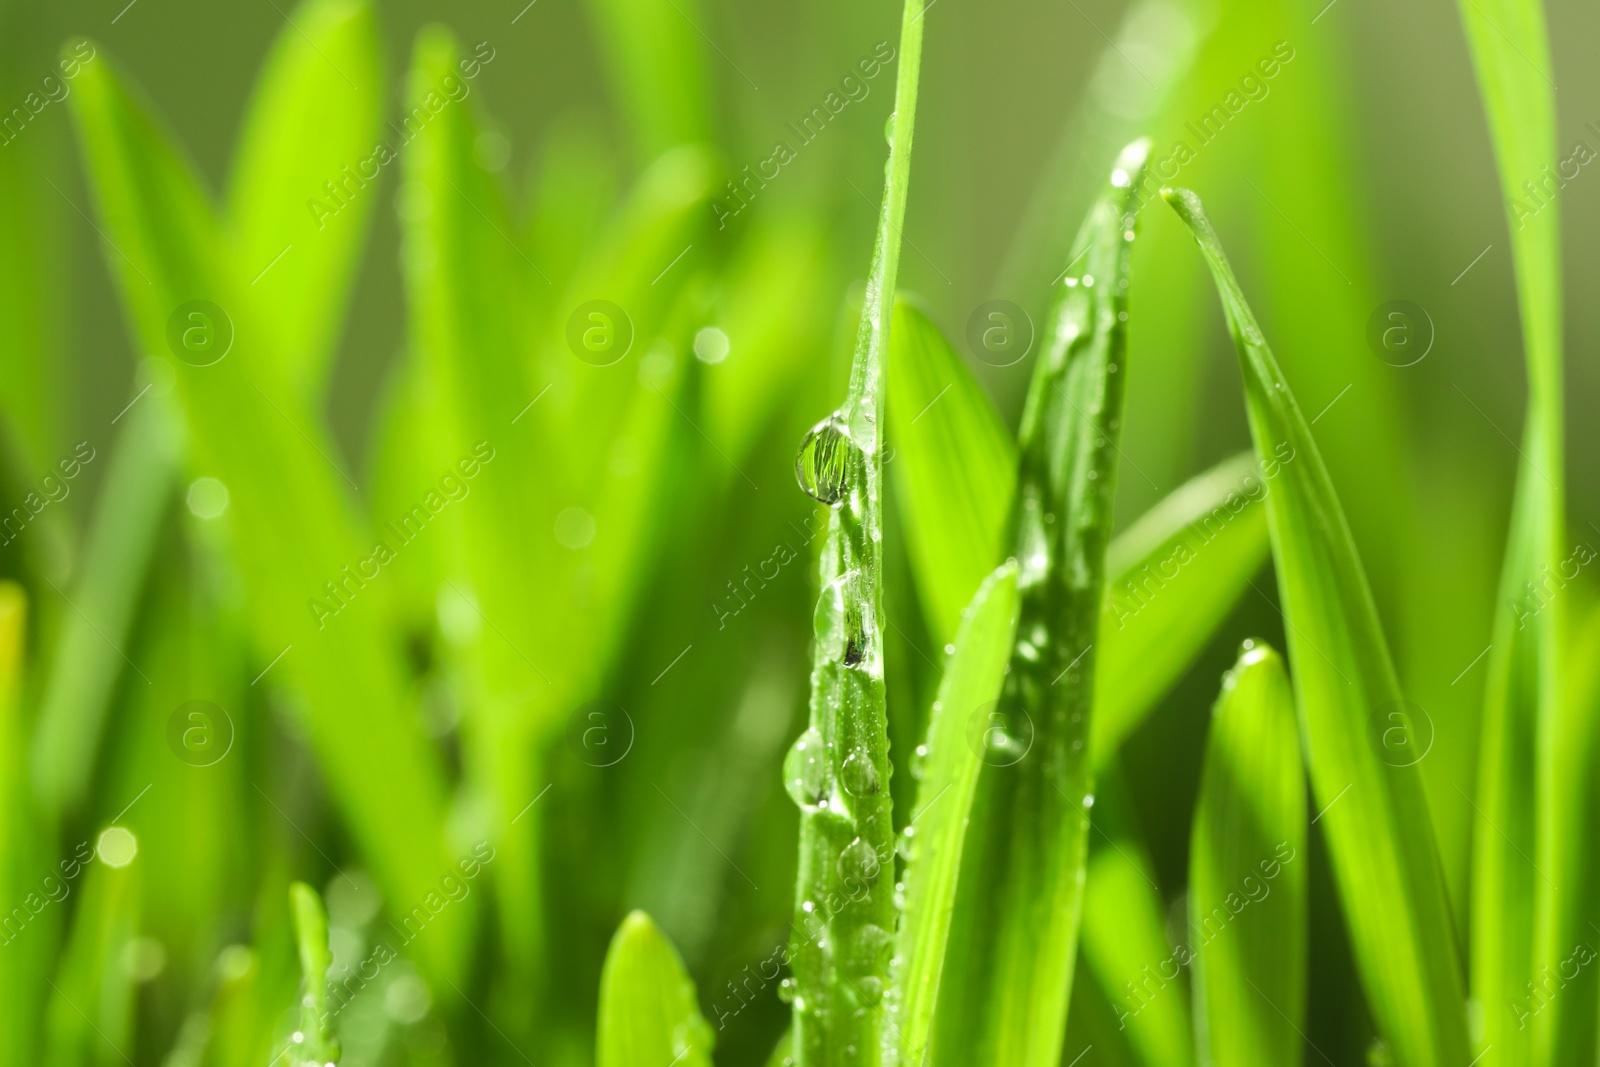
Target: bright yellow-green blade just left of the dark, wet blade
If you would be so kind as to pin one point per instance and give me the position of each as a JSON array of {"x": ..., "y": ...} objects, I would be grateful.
[{"x": 945, "y": 797}]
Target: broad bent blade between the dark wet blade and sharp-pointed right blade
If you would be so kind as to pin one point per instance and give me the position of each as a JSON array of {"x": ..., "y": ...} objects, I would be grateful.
[{"x": 1175, "y": 575}]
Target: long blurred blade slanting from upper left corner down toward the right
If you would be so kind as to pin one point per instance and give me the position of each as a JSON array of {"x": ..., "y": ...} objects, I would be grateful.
[{"x": 290, "y": 521}]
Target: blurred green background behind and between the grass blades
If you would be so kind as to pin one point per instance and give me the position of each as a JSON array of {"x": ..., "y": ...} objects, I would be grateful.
[{"x": 1362, "y": 177}]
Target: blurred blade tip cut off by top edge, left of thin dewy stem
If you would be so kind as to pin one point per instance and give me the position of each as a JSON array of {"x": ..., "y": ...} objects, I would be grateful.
[{"x": 657, "y": 66}]
